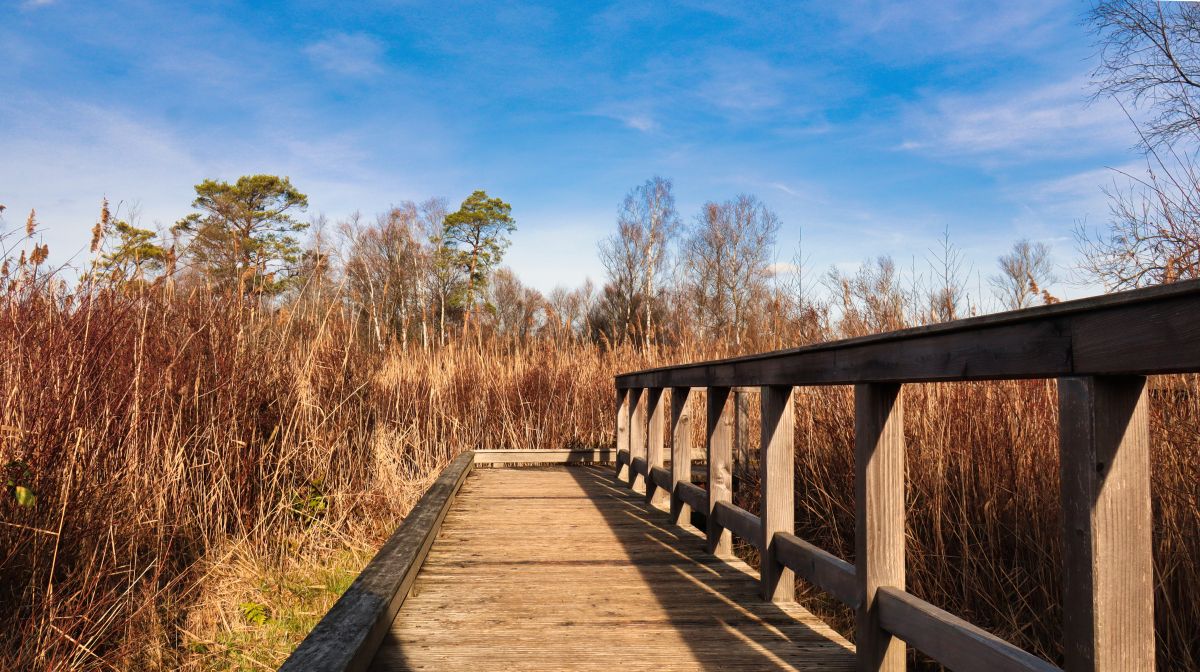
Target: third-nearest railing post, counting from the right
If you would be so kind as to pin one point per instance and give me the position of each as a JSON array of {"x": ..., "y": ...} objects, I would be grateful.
[{"x": 778, "y": 465}]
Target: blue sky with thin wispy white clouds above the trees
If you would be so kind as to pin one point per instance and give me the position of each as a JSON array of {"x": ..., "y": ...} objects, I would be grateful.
[{"x": 871, "y": 127}]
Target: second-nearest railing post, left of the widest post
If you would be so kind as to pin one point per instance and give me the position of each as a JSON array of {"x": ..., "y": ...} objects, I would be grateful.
[{"x": 879, "y": 519}]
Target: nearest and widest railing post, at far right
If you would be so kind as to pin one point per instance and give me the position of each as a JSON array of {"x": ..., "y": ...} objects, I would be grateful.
[{"x": 1108, "y": 566}]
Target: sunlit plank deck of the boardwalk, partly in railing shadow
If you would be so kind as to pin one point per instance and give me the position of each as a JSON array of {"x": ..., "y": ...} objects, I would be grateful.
[{"x": 561, "y": 569}]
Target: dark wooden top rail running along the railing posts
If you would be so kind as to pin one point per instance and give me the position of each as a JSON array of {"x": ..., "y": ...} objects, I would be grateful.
[{"x": 1144, "y": 332}]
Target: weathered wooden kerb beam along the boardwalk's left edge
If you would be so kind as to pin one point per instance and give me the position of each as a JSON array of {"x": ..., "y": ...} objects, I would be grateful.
[{"x": 347, "y": 638}]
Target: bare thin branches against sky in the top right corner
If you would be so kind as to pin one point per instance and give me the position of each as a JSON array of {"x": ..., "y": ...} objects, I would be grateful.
[{"x": 1150, "y": 56}]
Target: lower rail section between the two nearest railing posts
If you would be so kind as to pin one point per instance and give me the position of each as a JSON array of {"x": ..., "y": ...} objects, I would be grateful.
[{"x": 950, "y": 640}]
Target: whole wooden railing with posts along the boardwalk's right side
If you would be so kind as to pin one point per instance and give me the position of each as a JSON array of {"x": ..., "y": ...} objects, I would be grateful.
[{"x": 1100, "y": 350}]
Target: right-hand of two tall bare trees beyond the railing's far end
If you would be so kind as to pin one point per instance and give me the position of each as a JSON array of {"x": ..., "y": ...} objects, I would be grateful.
[{"x": 728, "y": 265}]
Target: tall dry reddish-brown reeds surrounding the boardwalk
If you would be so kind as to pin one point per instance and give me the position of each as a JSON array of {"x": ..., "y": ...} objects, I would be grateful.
[{"x": 188, "y": 451}]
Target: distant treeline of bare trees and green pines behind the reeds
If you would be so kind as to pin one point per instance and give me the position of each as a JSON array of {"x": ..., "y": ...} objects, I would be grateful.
[{"x": 423, "y": 275}]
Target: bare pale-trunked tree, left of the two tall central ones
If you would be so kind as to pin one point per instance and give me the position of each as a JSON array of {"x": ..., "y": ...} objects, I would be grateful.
[{"x": 637, "y": 257}]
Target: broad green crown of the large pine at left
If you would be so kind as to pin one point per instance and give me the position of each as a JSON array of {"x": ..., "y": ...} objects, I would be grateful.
[{"x": 244, "y": 237}]
